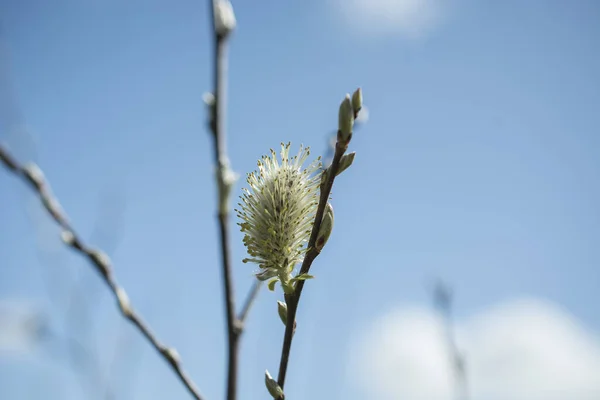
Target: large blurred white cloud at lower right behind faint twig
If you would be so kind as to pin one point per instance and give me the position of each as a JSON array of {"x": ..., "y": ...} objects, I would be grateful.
[{"x": 522, "y": 350}]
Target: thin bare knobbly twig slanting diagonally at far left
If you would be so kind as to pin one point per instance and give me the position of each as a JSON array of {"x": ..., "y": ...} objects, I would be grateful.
[{"x": 34, "y": 176}]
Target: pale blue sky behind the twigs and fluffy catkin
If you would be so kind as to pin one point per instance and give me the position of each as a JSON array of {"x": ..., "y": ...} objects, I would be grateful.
[{"x": 478, "y": 165}]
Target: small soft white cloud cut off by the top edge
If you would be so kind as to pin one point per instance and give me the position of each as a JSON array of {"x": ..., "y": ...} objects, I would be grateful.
[{"x": 410, "y": 18}]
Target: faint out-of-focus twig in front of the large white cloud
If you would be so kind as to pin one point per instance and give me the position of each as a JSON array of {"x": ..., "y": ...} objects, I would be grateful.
[{"x": 442, "y": 297}]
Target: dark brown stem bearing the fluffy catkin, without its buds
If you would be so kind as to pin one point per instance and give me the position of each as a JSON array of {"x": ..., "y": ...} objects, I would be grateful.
[{"x": 293, "y": 299}]
